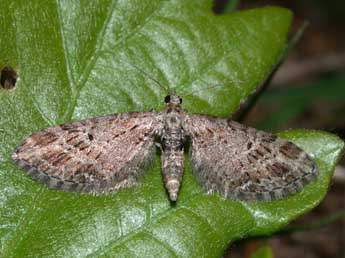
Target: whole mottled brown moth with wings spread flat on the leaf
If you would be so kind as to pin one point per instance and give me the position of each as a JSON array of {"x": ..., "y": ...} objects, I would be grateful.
[{"x": 104, "y": 154}]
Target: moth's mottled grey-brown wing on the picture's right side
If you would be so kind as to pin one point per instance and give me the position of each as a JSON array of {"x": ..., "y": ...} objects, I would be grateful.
[{"x": 243, "y": 163}]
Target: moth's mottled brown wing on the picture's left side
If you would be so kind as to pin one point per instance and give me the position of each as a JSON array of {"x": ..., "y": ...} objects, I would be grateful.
[{"x": 96, "y": 155}]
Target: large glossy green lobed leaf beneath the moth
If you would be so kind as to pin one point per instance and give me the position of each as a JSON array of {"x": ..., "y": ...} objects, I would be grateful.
[{"x": 77, "y": 60}]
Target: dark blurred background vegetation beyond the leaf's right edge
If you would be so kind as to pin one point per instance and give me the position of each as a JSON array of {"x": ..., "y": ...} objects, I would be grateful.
[{"x": 308, "y": 91}]
